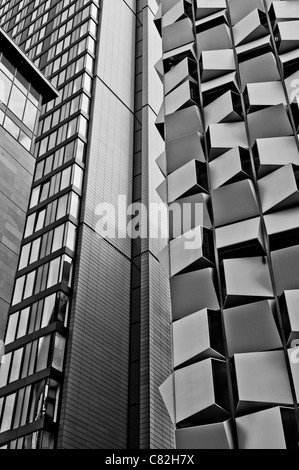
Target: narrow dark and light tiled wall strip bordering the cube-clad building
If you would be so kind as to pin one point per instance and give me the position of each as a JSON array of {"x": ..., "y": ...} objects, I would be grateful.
[{"x": 149, "y": 426}]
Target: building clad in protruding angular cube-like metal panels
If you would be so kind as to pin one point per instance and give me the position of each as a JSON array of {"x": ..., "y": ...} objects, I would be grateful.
[{"x": 230, "y": 71}]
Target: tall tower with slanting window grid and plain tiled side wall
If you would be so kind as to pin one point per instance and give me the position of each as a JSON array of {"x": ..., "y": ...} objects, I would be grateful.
[{"x": 88, "y": 338}]
